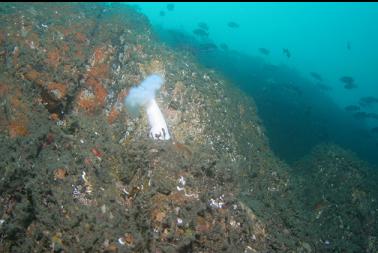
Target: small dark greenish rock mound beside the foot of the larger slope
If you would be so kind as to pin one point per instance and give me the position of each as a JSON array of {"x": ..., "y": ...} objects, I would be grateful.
[{"x": 341, "y": 199}]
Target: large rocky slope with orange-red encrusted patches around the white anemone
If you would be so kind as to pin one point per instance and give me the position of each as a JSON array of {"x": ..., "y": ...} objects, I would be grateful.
[{"x": 79, "y": 174}]
